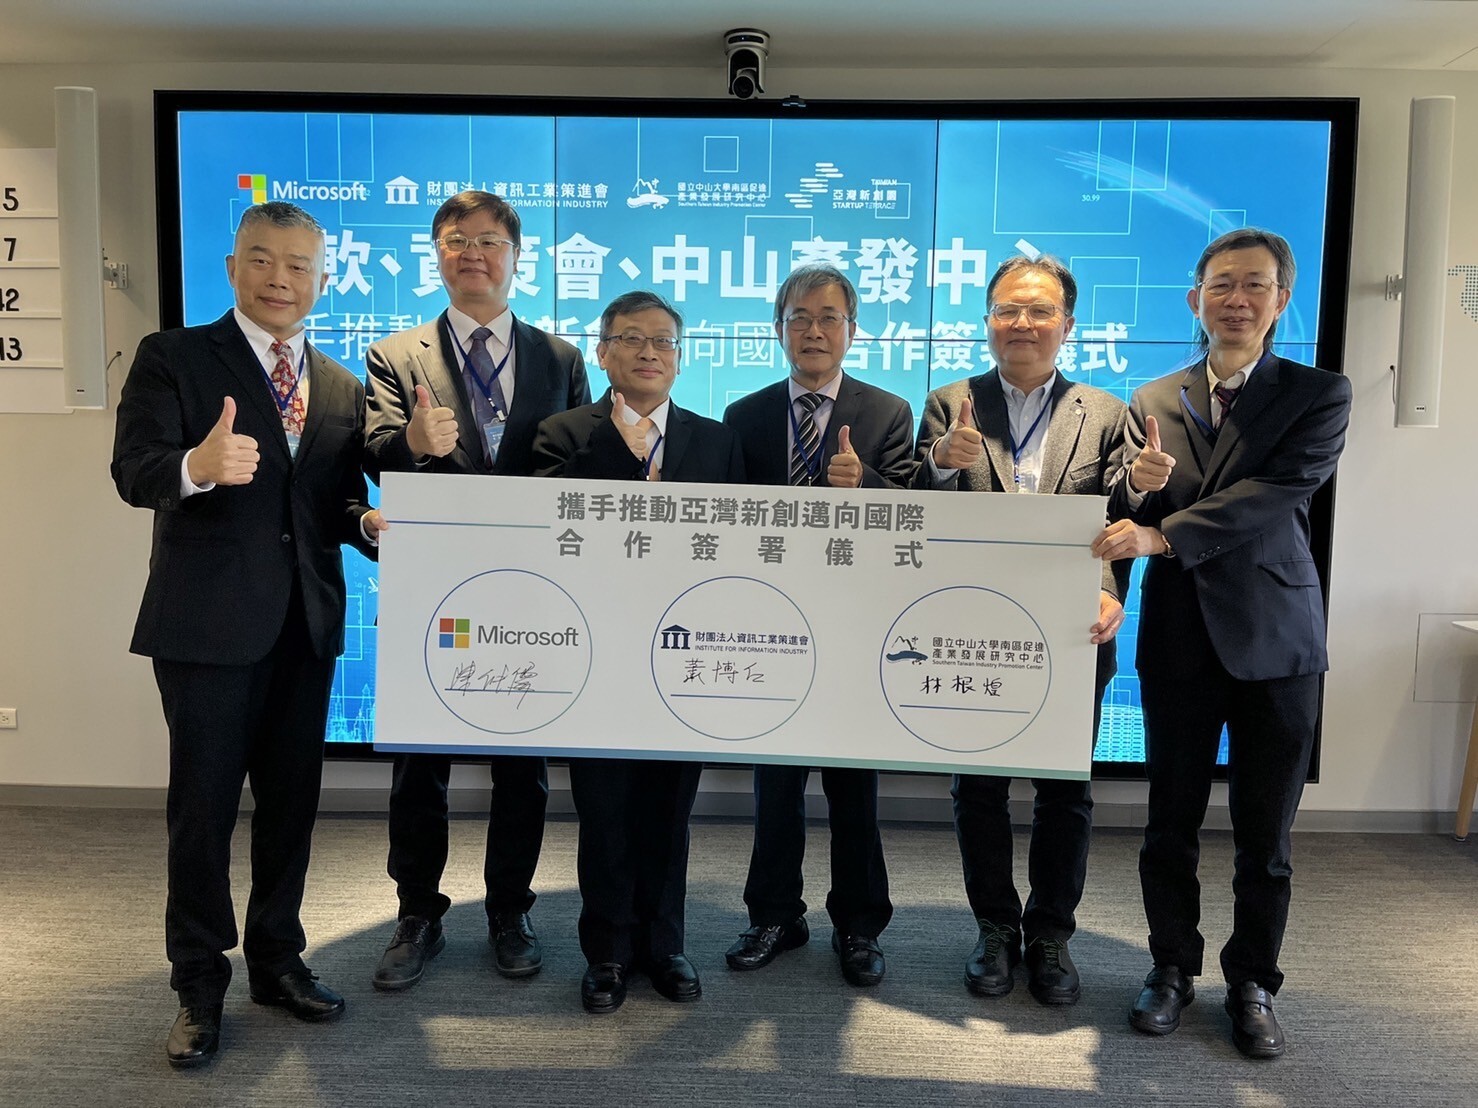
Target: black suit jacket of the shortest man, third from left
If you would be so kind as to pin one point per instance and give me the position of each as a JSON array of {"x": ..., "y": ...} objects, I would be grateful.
[{"x": 585, "y": 442}]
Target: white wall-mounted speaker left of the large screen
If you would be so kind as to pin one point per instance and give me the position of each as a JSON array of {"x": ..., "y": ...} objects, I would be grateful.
[{"x": 79, "y": 224}]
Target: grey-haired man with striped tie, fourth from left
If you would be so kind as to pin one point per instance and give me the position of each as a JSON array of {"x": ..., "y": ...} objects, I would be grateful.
[{"x": 820, "y": 426}]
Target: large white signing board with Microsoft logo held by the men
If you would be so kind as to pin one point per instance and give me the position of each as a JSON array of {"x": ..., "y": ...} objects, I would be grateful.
[{"x": 746, "y": 624}]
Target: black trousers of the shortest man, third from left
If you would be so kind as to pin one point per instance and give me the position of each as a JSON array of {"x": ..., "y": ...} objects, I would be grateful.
[{"x": 633, "y": 856}]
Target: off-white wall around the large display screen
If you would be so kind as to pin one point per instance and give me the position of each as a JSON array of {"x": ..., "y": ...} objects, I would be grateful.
[{"x": 73, "y": 558}]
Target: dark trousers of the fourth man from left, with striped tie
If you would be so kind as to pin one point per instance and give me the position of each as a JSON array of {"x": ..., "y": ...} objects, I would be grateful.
[{"x": 858, "y": 902}]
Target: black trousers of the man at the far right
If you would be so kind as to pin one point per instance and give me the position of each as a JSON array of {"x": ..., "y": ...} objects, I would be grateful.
[{"x": 1270, "y": 729}]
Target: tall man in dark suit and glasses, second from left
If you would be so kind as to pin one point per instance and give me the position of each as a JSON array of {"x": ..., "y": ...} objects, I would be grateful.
[{"x": 465, "y": 395}]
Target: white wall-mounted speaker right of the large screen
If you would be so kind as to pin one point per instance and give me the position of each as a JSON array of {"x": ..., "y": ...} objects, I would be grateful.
[{"x": 1424, "y": 280}]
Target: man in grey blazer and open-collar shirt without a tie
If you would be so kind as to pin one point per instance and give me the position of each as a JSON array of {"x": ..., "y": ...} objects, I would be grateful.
[{"x": 1024, "y": 428}]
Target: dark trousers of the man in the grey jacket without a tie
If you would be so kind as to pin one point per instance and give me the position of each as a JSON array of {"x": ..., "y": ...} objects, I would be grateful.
[{"x": 1058, "y": 859}]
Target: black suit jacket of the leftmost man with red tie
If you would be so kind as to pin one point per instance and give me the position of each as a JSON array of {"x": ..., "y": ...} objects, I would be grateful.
[{"x": 221, "y": 574}]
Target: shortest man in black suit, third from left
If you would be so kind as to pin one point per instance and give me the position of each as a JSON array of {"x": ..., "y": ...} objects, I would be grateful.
[{"x": 633, "y": 815}]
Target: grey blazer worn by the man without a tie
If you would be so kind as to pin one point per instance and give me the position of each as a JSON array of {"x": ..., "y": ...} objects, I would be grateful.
[{"x": 1084, "y": 454}]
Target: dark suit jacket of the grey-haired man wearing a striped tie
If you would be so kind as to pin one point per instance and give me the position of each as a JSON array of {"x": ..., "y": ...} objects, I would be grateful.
[{"x": 882, "y": 434}]
